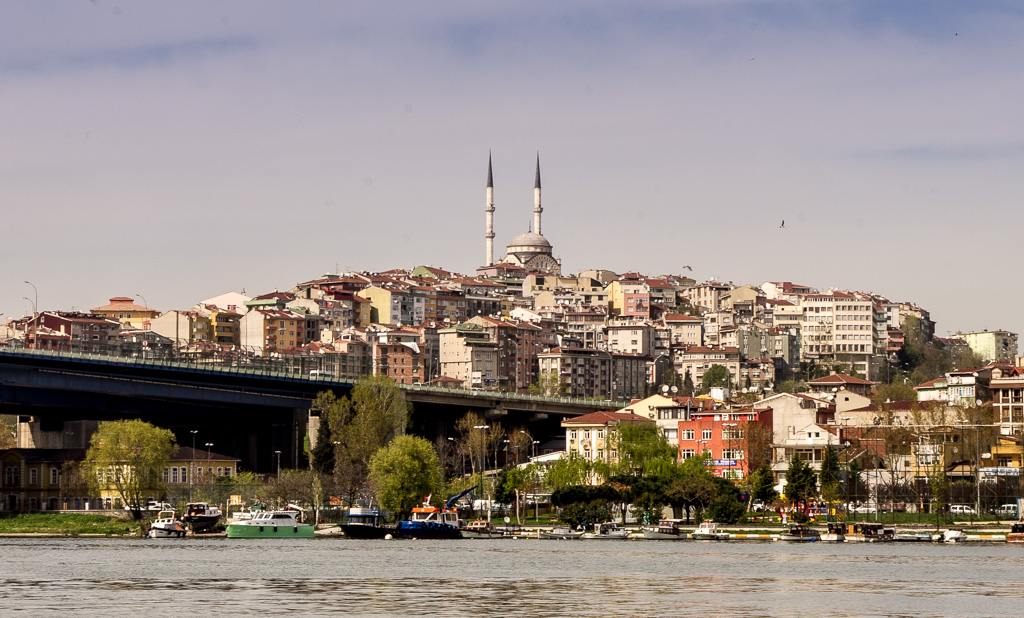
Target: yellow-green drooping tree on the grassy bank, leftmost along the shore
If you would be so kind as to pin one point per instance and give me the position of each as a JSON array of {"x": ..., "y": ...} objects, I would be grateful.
[{"x": 130, "y": 458}]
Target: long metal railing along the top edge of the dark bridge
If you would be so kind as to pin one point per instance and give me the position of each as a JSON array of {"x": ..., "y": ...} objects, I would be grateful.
[{"x": 284, "y": 369}]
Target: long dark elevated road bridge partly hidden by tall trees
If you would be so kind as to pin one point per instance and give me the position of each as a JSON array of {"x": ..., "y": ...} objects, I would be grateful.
[{"x": 258, "y": 412}]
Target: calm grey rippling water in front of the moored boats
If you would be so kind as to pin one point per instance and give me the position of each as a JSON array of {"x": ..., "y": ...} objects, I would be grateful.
[{"x": 221, "y": 578}]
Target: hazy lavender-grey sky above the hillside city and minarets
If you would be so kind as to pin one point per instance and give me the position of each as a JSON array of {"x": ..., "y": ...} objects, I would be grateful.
[{"x": 174, "y": 152}]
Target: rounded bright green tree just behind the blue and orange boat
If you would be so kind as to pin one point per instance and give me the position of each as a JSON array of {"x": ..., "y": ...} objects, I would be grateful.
[{"x": 405, "y": 472}]
